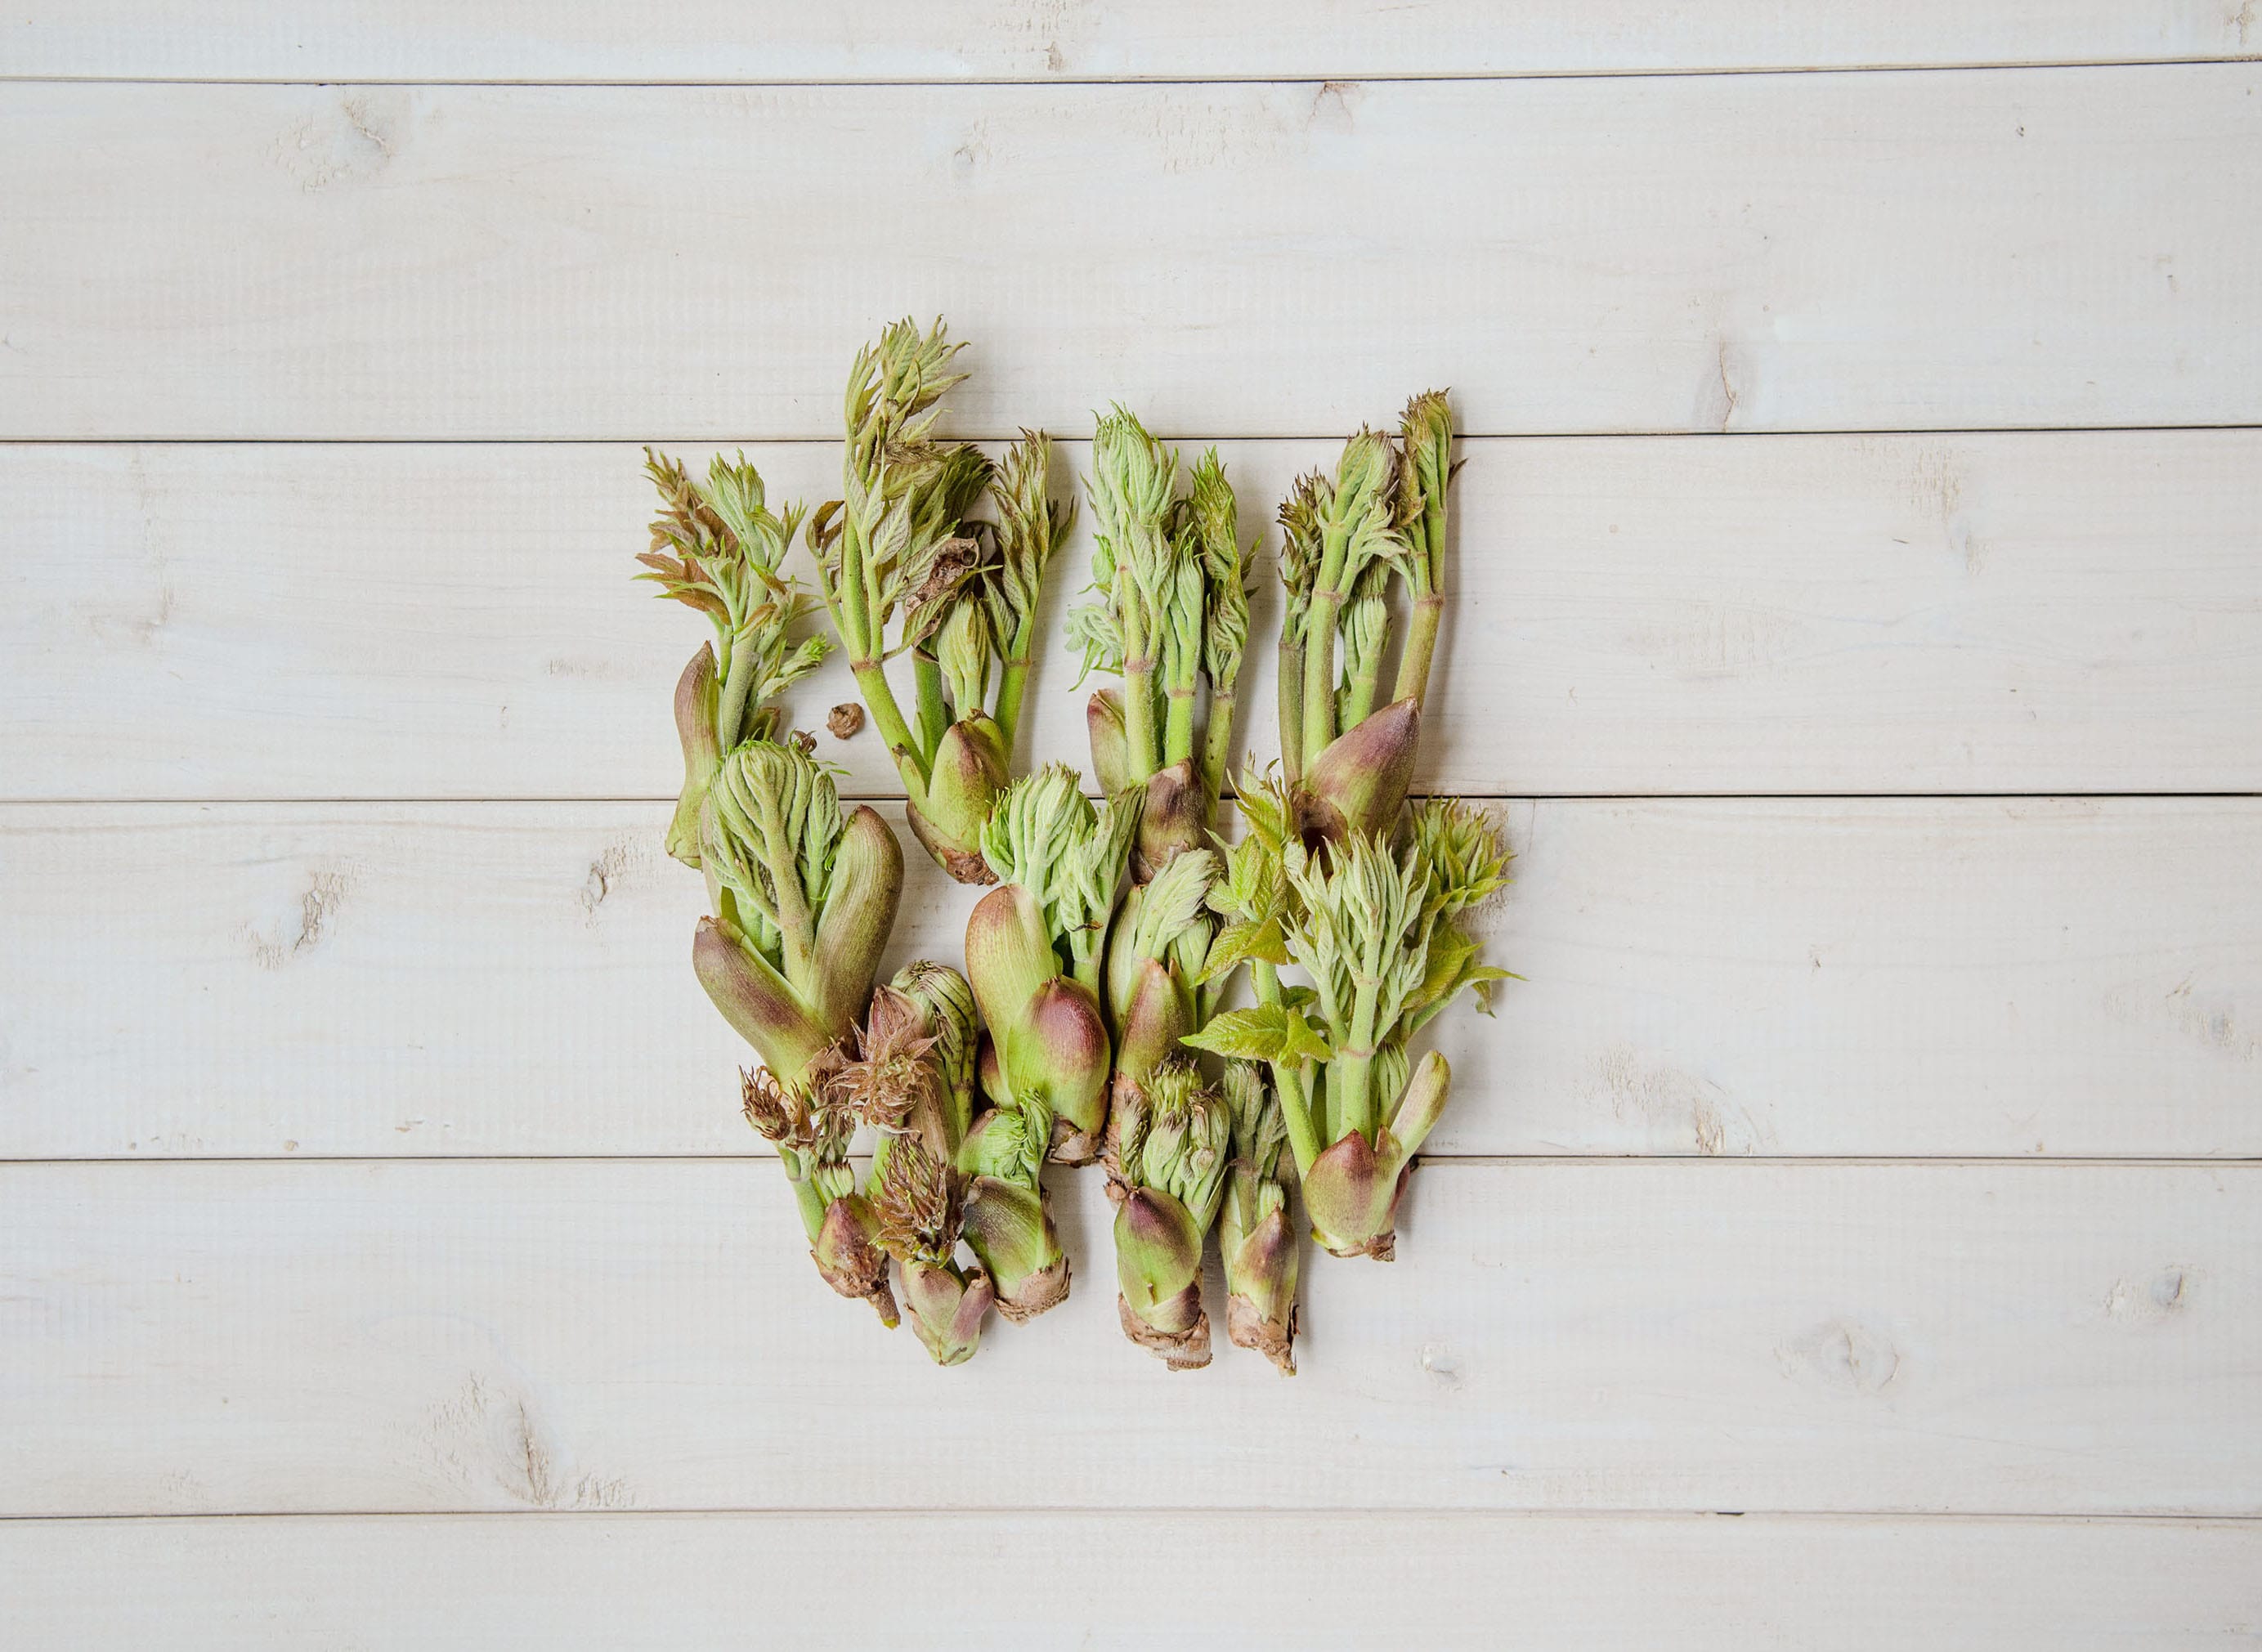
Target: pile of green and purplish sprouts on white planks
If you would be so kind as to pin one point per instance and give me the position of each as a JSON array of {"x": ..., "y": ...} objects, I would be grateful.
[{"x": 1225, "y": 1022}]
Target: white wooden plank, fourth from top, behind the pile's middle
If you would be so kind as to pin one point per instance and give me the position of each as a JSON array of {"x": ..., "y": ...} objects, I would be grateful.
[{"x": 1917, "y": 979}]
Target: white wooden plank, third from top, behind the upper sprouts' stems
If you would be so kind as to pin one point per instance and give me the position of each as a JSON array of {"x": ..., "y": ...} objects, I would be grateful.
[{"x": 1684, "y": 614}]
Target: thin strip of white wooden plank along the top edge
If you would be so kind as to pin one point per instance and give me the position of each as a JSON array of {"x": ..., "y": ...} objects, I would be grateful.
[{"x": 1048, "y": 40}]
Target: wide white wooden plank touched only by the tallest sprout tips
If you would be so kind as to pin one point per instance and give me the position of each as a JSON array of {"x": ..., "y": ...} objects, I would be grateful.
[{"x": 1872, "y": 252}]
